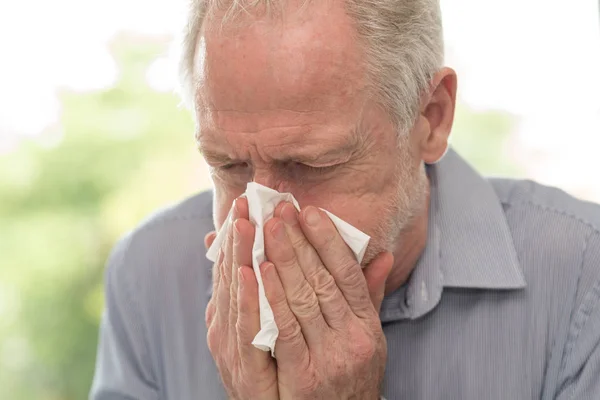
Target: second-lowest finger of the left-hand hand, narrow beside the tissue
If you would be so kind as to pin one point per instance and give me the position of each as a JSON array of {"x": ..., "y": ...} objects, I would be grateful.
[{"x": 243, "y": 238}]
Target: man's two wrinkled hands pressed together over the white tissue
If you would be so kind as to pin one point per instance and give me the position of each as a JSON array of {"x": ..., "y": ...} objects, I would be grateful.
[{"x": 326, "y": 312}]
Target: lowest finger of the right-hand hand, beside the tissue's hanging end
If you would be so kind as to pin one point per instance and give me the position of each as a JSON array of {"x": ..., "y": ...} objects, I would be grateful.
[{"x": 291, "y": 348}]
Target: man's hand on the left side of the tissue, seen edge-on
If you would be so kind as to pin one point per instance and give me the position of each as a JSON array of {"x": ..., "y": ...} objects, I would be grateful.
[{"x": 232, "y": 315}]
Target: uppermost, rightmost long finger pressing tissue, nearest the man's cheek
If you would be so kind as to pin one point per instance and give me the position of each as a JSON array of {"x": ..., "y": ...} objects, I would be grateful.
[{"x": 337, "y": 258}]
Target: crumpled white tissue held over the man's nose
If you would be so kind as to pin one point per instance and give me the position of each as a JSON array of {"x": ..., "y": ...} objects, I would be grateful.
[{"x": 262, "y": 202}]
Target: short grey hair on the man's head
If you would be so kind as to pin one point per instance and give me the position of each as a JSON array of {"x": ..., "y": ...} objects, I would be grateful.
[{"x": 402, "y": 40}]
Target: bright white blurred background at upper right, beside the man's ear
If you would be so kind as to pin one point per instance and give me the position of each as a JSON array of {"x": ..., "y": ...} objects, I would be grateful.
[{"x": 540, "y": 61}]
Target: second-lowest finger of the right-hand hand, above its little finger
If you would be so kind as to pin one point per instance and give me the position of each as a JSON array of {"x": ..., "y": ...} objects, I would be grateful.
[{"x": 300, "y": 296}]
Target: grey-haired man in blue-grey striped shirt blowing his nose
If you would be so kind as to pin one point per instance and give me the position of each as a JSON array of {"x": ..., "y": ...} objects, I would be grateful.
[{"x": 472, "y": 289}]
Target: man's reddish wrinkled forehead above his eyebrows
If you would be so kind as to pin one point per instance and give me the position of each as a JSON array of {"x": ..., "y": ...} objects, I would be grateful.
[{"x": 302, "y": 59}]
